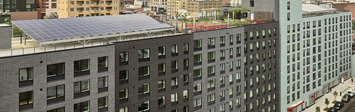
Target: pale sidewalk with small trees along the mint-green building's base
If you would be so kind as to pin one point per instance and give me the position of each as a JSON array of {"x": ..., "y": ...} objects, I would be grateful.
[{"x": 339, "y": 88}]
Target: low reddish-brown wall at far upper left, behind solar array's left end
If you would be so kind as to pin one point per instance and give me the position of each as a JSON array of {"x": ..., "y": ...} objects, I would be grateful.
[{"x": 30, "y": 15}]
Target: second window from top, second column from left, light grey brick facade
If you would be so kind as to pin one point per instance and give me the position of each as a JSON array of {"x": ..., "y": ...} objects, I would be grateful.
[{"x": 55, "y": 92}]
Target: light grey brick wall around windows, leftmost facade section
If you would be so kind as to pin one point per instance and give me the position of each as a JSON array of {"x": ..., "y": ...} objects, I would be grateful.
[{"x": 9, "y": 81}]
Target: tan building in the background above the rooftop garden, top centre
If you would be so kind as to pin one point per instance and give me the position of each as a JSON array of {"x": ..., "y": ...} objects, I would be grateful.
[{"x": 190, "y": 6}]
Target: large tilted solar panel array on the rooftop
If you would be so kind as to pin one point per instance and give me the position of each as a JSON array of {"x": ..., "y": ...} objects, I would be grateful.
[{"x": 50, "y": 29}]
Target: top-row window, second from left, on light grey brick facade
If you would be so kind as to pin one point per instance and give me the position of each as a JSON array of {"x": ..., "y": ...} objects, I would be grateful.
[{"x": 55, "y": 70}]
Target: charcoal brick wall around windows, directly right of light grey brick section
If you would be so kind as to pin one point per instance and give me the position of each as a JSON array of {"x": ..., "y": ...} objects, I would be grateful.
[{"x": 133, "y": 65}]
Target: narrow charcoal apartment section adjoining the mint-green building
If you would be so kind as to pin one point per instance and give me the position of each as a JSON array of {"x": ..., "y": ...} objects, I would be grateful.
[{"x": 261, "y": 61}]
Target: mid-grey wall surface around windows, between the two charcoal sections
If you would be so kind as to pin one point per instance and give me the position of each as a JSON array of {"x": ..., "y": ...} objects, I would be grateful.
[{"x": 230, "y": 85}]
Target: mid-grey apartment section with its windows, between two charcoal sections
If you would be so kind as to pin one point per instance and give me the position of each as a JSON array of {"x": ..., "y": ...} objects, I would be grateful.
[{"x": 218, "y": 70}]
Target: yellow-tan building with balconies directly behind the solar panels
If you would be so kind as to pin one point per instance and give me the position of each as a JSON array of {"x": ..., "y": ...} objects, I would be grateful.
[{"x": 85, "y": 8}]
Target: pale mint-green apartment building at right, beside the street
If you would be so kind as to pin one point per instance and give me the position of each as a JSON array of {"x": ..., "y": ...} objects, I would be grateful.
[{"x": 315, "y": 55}]
